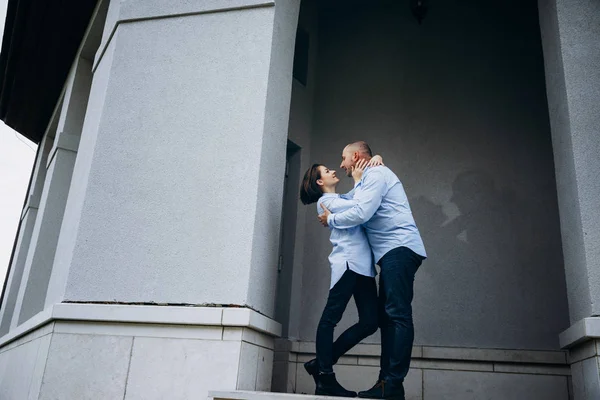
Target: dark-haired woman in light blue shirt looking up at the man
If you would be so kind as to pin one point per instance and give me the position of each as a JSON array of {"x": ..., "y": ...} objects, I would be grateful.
[{"x": 352, "y": 274}]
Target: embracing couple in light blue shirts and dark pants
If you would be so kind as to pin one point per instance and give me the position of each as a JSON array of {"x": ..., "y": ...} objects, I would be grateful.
[{"x": 371, "y": 224}]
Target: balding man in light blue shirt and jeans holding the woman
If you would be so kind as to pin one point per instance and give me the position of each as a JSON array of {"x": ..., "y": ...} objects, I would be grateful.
[{"x": 383, "y": 210}]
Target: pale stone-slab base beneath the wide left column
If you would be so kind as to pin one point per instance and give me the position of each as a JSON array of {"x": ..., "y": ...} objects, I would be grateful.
[{"x": 146, "y": 352}]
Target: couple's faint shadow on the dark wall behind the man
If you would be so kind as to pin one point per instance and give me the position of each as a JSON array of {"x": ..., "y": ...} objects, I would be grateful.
[{"x": 465, "y": 291}]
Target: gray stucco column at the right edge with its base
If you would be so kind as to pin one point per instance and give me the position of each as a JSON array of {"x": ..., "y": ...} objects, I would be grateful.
[{"x": 571, "y": 41}]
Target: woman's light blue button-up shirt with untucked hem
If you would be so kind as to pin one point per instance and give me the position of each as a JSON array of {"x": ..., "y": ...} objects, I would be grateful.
[{"x": 350, "y": 246}]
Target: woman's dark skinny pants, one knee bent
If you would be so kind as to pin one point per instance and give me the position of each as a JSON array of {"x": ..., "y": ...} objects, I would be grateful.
[{"x": 364, "y": 290}]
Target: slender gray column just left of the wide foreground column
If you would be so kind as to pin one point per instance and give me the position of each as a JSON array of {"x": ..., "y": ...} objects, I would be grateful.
[{"x": 40, "y": 258}]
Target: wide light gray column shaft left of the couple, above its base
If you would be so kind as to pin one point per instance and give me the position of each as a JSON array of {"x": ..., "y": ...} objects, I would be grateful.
[{"x": 177, "y": 190}]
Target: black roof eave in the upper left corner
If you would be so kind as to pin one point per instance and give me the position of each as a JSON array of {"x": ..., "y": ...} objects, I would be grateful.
[{"x": 41, "y": 38}]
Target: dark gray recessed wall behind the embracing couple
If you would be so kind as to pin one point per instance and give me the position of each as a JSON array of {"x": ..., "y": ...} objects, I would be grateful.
[{"x": 457, "y": 108}]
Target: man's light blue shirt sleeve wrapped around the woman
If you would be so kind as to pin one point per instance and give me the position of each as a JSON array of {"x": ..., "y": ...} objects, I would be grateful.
[{"x": 368, "y": 197}]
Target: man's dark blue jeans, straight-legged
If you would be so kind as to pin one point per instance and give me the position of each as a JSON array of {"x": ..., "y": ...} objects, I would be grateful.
[{"x": 398, "y": 269}]
